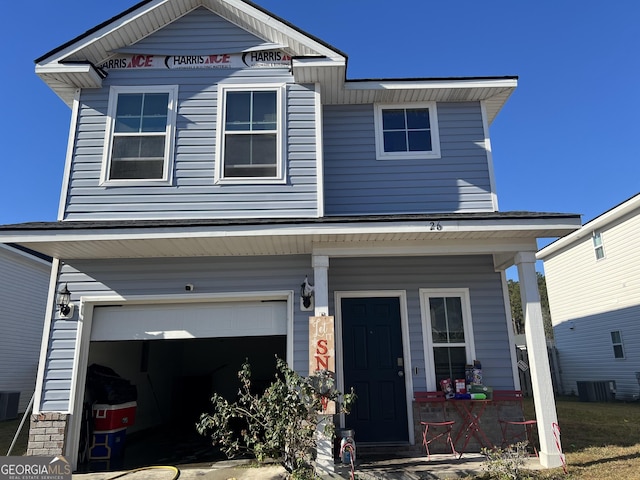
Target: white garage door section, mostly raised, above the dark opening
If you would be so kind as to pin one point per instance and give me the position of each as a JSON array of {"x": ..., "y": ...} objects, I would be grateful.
[{"x": 189, "y": 320}]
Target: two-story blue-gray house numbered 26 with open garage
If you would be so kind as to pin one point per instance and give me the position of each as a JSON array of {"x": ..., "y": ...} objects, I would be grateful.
[{"x": 218, "y": 156}]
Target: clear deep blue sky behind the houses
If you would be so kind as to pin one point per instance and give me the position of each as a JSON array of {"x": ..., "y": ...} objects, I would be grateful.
[{"x": 568, "y": 140}]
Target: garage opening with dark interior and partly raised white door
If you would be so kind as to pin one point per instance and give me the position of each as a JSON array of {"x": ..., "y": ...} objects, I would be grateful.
[{"x": 175, "y": 377}]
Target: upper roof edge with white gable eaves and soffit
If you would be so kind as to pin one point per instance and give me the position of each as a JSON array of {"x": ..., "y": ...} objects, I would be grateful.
[{"x": 75, "y": 64}]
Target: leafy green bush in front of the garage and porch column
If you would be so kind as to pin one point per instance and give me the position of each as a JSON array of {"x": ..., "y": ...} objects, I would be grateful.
[{"x": 279, "y": 423}]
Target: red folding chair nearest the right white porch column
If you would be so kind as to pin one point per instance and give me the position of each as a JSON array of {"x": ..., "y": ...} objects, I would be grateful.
[{"x": 513, "y": 418}]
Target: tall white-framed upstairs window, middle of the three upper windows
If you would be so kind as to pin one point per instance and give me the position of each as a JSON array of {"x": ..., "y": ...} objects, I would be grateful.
[{"x": 250, "y": 132}]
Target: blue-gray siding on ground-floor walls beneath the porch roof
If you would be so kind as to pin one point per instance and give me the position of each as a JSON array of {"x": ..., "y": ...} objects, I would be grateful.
[{"x": 255, "y": 274}]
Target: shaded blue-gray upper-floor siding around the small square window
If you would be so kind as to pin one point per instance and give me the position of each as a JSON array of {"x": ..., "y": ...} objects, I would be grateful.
[{"x": 357, "y": 183}]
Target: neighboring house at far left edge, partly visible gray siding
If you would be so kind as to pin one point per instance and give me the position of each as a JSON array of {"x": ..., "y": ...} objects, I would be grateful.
[{"x": 24, "y": 286}]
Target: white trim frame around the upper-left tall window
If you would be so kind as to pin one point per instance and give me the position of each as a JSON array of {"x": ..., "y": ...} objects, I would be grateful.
[{"x": 169, "y": 133}]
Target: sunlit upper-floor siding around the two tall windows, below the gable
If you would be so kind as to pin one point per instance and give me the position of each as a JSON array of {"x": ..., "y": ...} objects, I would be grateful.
[{"x": 193, "y": 192}]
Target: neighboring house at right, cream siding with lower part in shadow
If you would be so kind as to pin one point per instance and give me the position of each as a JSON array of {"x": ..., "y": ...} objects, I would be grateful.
[{"x": 593, "y": 282}]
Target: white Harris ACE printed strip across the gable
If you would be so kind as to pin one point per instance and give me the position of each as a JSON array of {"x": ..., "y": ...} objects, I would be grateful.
[{"x": 258, "y": 59}]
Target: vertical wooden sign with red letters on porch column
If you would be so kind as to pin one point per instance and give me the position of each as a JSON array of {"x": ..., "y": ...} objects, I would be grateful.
[{"x": 322, "y": 353}]
